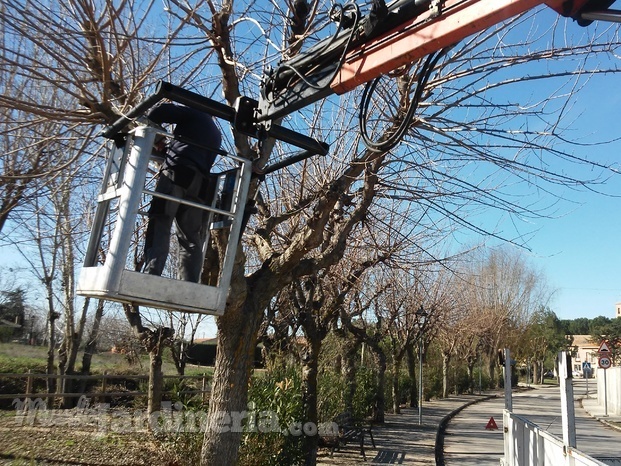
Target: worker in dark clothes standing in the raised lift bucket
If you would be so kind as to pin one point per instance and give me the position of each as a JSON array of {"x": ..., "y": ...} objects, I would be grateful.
[{"x": 185, "y": 175}]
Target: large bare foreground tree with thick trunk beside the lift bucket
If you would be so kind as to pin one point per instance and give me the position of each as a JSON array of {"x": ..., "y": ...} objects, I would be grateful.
[{"x": 307, "y": 213}]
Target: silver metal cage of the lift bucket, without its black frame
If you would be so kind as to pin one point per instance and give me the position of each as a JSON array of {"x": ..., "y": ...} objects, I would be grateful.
[{"x": 120, "y": 205}]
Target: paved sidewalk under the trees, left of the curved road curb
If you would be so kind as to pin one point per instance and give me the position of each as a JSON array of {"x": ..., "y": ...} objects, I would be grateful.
[{"x": 401, "y": 440}]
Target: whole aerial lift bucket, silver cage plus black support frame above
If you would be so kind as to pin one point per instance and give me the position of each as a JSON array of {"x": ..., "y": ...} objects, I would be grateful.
[{"x": 110, "y": 270}]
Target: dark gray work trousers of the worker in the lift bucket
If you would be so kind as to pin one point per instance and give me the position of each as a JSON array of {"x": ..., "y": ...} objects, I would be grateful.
[{"x": 190, "y": 221}]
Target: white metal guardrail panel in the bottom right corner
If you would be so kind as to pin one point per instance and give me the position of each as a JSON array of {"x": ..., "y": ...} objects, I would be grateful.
[{"x": 526, "y": 444}]
